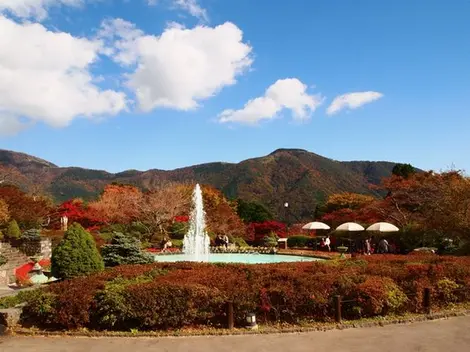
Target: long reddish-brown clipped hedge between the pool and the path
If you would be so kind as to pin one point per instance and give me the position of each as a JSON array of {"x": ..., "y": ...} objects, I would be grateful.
[{"x": 163, "y": 296}]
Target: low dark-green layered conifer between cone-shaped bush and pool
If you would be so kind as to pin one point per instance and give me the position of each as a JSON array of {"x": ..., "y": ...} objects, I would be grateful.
[{"x": 124, "y": 250}]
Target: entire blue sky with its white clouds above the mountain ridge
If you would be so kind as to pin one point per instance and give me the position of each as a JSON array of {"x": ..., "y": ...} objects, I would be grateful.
[{"x": 402, "y": 67}]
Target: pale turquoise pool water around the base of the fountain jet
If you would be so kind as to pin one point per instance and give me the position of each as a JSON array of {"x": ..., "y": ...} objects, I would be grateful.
[{"x": 239, "y": 258}]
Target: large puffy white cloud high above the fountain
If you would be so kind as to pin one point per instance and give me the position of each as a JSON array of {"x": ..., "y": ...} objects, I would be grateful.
[{"x": 180, "y": 67}]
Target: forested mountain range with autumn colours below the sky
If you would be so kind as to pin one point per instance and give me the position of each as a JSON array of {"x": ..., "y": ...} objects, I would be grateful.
[{"x": 301, "y": 178}]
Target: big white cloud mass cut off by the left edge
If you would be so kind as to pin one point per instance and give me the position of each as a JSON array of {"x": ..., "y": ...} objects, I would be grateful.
[{"x": 44, "y": 76}]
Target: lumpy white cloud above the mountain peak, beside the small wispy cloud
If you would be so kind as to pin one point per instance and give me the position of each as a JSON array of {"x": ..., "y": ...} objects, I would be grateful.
[{"x": 289, "y": 93}]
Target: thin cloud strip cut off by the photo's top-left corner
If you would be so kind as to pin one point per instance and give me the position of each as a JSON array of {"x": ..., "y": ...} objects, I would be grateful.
[{"x": 34, "y": 8}]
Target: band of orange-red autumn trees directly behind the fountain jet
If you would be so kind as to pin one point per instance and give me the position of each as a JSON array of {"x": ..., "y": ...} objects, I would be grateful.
[{"x": 155, "y": 210}]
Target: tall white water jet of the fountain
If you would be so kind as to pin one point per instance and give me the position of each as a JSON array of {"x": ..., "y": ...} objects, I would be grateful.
[{"x": 196, "y": 242}]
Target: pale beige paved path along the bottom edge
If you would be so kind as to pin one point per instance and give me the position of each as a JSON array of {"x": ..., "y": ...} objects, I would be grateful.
[{"x": 441, "y": 335}]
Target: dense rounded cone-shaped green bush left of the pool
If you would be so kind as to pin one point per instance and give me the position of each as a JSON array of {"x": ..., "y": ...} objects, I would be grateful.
[{"x": 76, "y": 254}]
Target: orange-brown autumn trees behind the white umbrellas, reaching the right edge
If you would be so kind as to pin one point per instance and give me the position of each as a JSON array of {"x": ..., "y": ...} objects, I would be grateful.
[{"x": 431, "y": 202}]
